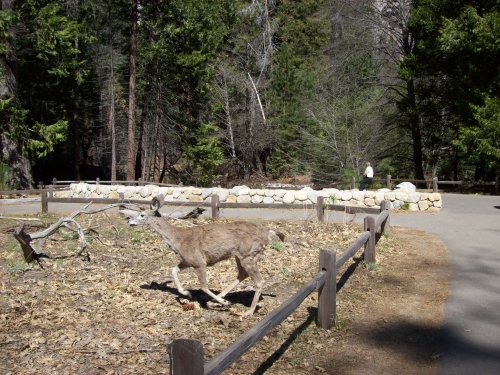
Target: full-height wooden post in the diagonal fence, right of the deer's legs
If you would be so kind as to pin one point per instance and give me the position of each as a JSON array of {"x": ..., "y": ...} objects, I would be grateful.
[{"x": 327, "y": 294}]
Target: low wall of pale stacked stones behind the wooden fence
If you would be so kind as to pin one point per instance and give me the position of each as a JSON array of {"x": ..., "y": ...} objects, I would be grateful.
[{"x": 400, "y": 198}]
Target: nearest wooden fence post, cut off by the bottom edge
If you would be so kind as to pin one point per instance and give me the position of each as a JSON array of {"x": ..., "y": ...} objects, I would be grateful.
[{"x": 186, "y": 357}]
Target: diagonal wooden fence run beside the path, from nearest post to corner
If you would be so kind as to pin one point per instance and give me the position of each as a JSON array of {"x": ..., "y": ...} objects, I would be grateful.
[{"x": 186, "y": 356}]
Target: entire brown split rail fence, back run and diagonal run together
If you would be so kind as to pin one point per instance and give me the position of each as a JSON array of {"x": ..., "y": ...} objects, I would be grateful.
[{"x": 186, "y": 356}]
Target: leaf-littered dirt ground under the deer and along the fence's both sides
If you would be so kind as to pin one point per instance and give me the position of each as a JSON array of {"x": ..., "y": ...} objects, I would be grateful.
[{"x": 117, "y": 312}]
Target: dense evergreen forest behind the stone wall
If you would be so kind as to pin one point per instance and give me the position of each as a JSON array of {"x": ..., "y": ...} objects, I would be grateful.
[{"x": 208, "y": 91}]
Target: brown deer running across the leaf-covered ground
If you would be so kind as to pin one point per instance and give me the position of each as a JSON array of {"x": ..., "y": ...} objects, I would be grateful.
[{"x": 203, "y": 246}]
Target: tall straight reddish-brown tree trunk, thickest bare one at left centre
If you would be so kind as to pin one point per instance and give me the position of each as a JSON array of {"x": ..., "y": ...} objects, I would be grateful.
[{"x": 131, "y": 94}]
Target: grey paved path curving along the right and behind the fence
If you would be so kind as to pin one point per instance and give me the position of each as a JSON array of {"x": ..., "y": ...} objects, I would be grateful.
[{"x": 470, "y": 226}]
